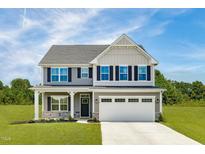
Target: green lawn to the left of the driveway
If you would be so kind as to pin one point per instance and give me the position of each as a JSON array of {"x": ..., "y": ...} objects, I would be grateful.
[{"x": 44, "y": 133}]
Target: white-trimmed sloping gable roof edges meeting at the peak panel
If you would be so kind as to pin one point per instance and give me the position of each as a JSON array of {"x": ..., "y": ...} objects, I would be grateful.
[{"x": 125, "y": 40}]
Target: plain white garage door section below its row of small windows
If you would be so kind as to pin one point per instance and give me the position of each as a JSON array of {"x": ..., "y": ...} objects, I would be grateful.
[{"x": 124, "y": 111}]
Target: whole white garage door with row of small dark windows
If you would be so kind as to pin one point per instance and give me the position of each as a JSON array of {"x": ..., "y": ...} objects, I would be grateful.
[{"x": 127, "y": 108}]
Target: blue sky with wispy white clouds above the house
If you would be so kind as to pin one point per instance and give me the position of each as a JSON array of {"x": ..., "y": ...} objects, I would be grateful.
[{"x": 175, "y": 37}]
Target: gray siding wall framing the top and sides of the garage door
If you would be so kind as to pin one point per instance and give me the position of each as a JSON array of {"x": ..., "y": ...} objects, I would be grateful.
[{"x": 97, "y": 94}]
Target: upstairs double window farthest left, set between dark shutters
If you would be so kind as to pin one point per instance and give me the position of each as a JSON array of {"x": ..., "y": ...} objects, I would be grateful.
[{"x": 59, "y": 74}]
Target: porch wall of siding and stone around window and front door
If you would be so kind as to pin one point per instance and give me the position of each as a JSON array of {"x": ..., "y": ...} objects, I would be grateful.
[{"x": 56, "y": 114}]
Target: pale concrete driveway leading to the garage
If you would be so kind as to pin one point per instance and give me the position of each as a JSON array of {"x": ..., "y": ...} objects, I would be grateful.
[{"x": 141, "y": 133}]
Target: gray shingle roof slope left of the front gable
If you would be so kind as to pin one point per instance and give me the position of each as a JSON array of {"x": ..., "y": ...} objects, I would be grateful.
[{"x": 72, "y": 54}]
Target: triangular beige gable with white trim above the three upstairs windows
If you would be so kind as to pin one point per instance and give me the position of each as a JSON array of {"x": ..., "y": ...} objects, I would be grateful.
[{"x": 124, "y": 51}]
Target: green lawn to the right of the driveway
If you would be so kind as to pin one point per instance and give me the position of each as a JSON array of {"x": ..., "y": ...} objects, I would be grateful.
[{"x": 189, "y": 121}]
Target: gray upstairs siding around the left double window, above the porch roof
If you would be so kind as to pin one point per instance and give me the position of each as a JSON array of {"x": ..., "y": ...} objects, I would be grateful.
[{"x": 75, "y": 80}]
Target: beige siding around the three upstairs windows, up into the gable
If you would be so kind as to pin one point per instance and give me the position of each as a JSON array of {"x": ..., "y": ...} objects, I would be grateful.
[{"x": 130, "y": 56}]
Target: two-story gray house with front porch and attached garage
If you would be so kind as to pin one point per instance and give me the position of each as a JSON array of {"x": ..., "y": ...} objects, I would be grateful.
[{"x": 113, "y": 82}]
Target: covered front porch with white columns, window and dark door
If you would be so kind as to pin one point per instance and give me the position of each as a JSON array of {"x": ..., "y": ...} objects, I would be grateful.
[{"x": 64, "y": 103}]
